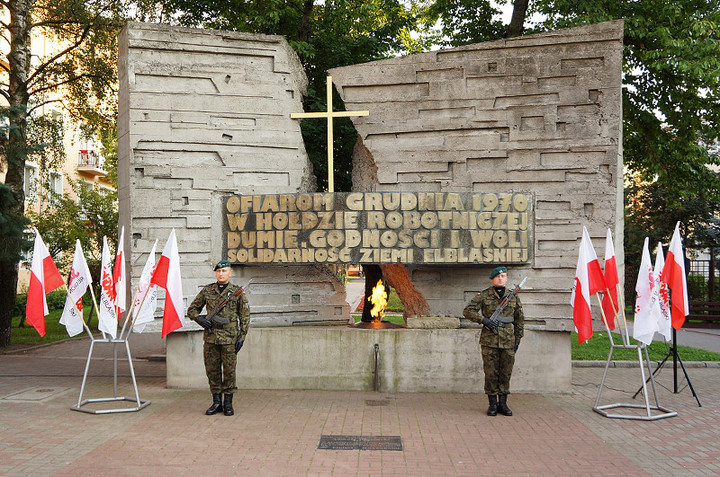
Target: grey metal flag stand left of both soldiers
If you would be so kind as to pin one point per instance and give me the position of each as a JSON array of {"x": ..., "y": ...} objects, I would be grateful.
[{"x": 139, "y": 404}]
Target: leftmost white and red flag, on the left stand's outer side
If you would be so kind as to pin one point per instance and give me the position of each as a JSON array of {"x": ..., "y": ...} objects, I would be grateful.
[{"x": 44, "y": 278}]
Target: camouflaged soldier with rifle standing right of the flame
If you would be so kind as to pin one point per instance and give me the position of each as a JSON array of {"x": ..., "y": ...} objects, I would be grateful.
[{"x": 499, "y": 339}]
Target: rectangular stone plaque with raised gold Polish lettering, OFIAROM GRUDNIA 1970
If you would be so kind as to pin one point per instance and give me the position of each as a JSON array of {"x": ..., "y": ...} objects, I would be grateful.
[{"x": 382, "y": 227}]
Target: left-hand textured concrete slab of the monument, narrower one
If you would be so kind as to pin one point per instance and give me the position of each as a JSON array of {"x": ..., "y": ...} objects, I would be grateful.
[{"x": 205, "y": 114}]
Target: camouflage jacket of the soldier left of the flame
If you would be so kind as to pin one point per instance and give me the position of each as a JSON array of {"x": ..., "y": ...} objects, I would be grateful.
[{"x": 236, "y": 310}]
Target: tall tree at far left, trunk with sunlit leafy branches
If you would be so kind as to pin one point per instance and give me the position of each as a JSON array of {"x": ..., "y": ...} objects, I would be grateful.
[{"x": 78, "y": 74}]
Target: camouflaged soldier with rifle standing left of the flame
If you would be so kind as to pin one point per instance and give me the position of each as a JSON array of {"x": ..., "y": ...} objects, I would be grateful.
[{"x": 221, "y": 341}]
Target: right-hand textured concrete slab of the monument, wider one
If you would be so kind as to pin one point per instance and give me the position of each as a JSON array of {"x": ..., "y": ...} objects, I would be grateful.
[{"x": 538, "y": 114}]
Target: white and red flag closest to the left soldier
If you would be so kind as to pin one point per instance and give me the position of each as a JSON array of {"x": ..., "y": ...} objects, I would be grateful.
[{"x": 167, "y": 276}]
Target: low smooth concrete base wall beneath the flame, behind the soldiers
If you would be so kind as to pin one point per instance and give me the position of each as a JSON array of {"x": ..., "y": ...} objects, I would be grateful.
[{"x": 410, "y": 360}]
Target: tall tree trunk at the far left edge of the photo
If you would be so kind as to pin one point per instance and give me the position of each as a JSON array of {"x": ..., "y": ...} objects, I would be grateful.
[{"x": 19, "y": 62}]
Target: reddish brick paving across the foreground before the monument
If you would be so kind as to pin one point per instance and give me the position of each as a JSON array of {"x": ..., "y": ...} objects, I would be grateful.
[{"x": 276, "y": 433}]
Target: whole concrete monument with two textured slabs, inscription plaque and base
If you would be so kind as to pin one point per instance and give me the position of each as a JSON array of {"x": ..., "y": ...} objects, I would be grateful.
[{"x": 494, "y": 153}]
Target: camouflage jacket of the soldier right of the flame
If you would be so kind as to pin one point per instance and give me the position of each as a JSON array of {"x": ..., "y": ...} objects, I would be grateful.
[{"x": 484, "y": 305}]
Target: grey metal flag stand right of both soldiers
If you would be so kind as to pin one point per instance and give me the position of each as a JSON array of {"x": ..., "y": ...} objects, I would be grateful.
[{"x": 649, "y": 409}]
